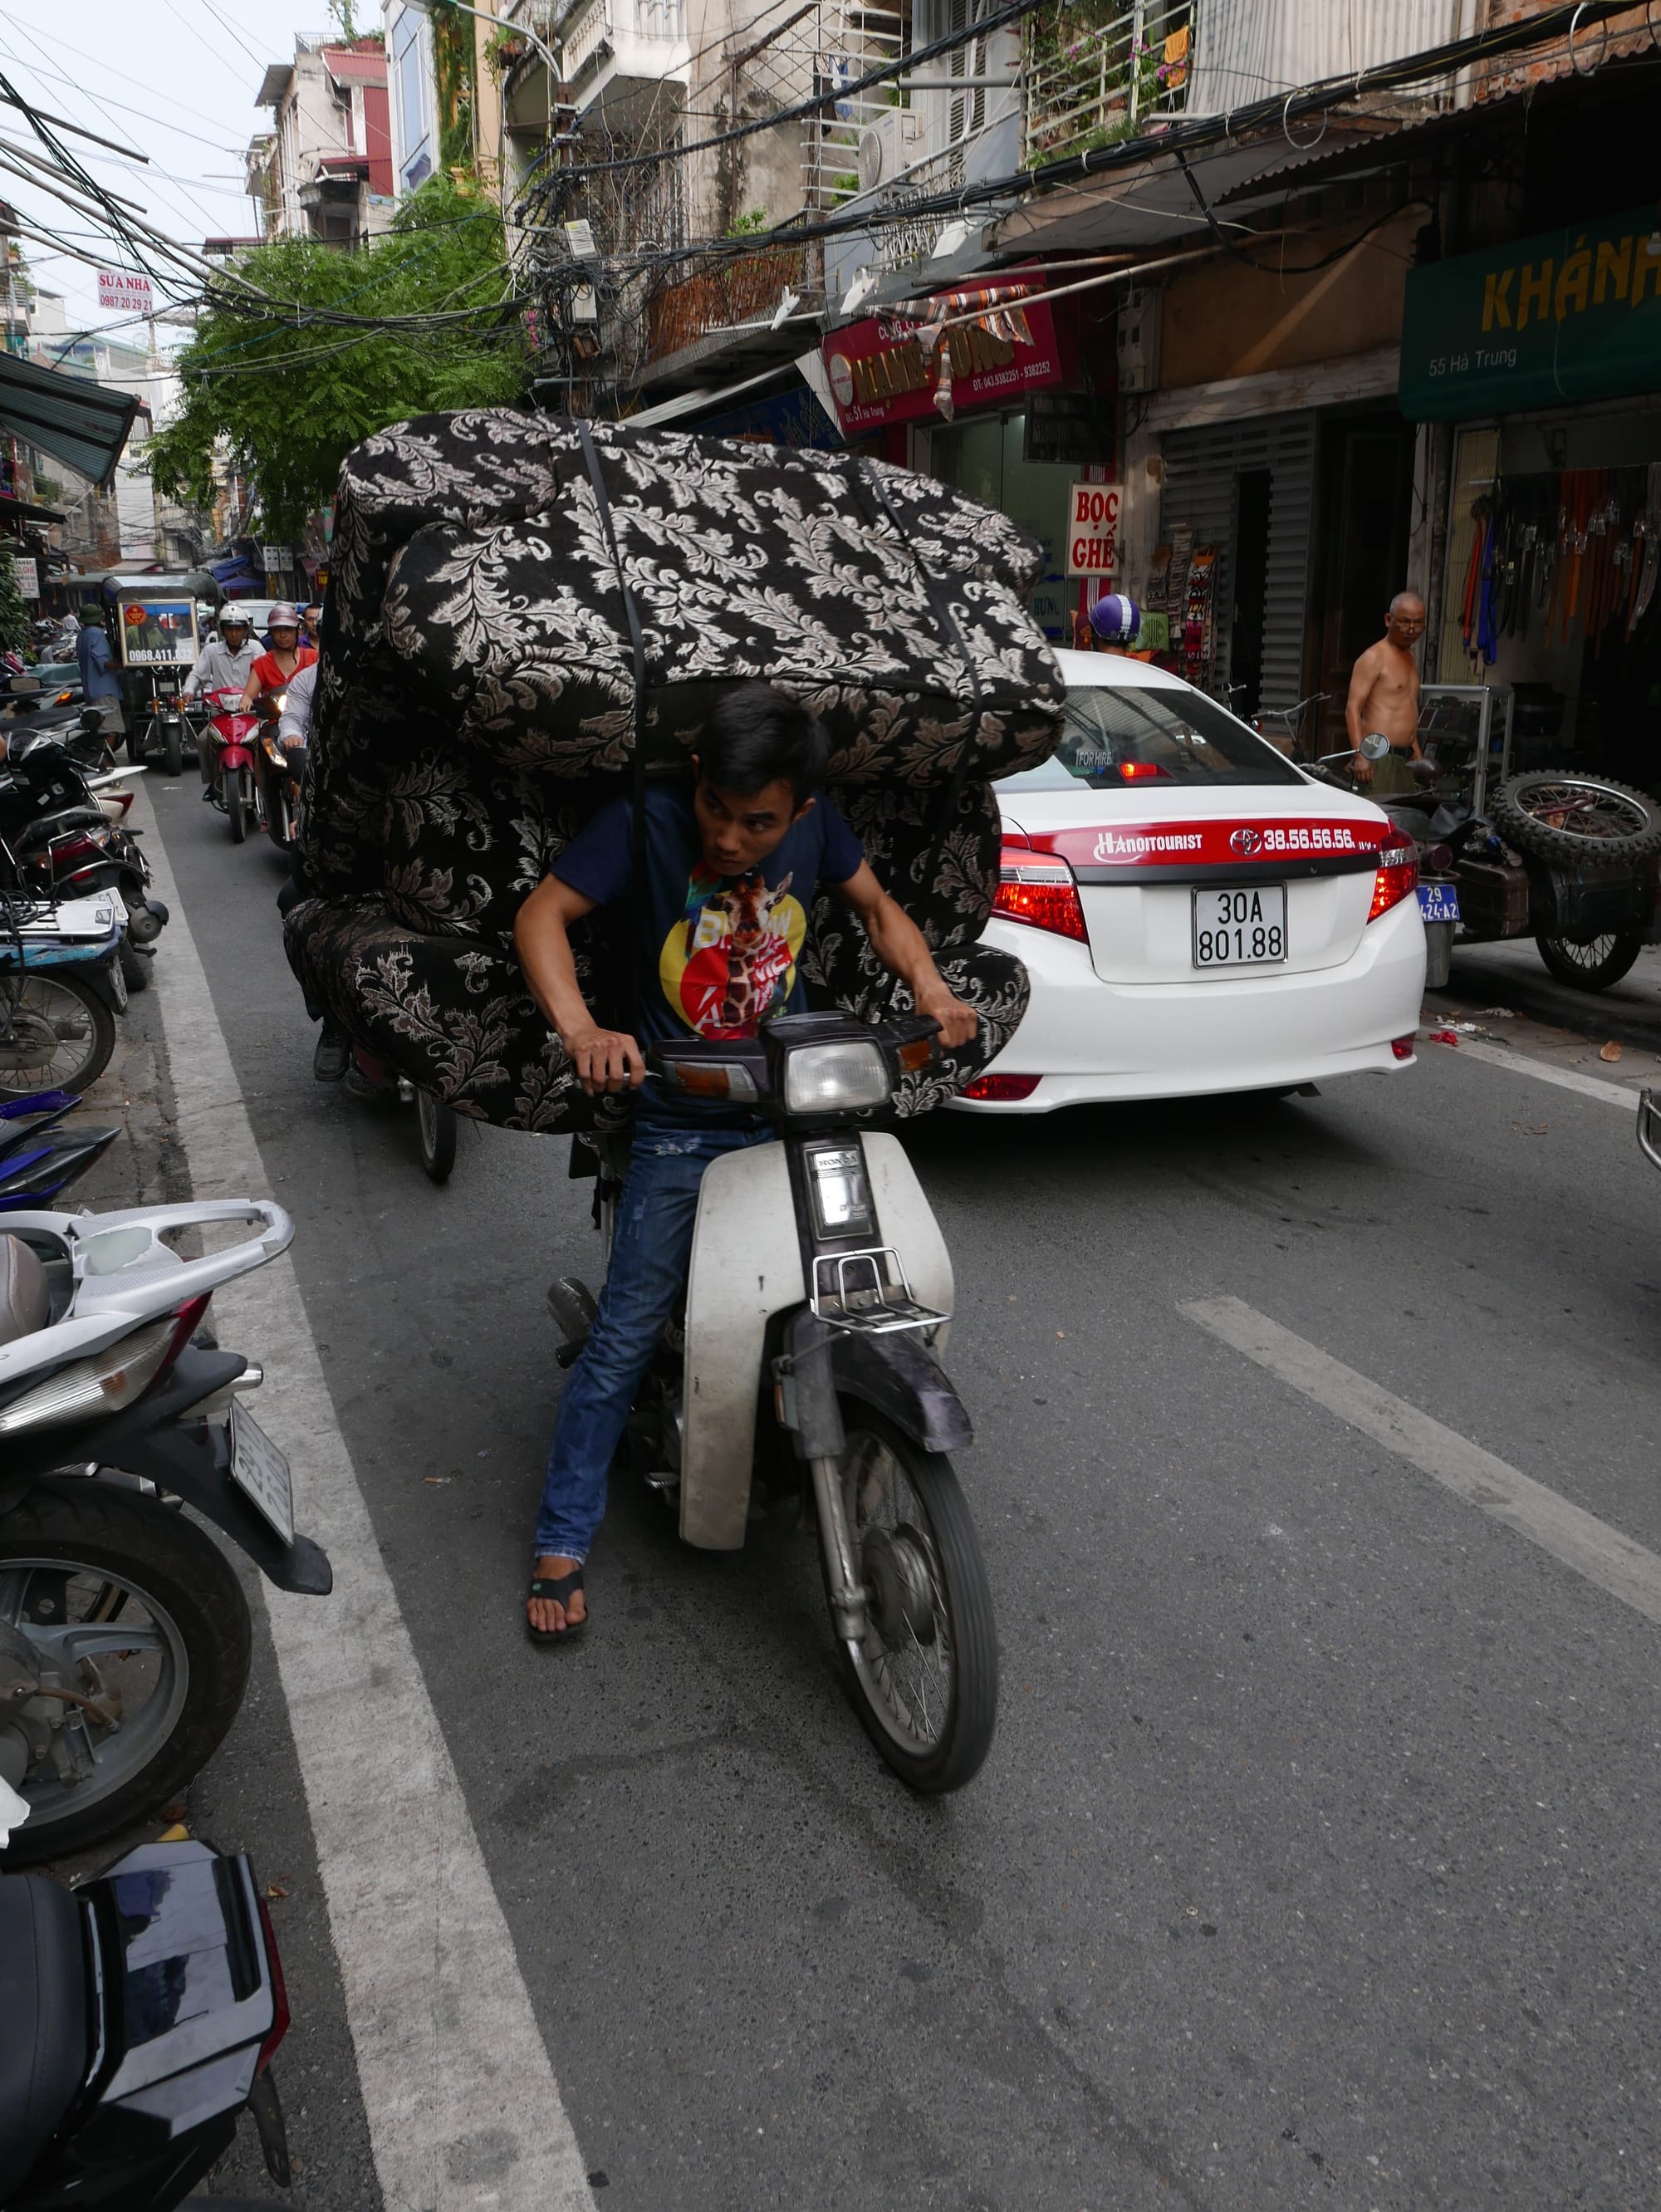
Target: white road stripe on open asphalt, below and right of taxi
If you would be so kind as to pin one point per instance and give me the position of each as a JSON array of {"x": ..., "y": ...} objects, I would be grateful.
[{"x": 1503, "y": 1492}]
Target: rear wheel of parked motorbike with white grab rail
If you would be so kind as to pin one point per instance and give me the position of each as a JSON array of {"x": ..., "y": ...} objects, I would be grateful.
[{"x": 147, "y": 1629}]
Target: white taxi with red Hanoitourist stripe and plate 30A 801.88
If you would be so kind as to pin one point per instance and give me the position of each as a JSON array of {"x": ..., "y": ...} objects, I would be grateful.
[{"x": 1195, "y": 912}]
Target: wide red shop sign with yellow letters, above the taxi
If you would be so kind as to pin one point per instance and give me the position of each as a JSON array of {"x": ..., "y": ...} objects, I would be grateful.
[{"x": 879, "y": 373}]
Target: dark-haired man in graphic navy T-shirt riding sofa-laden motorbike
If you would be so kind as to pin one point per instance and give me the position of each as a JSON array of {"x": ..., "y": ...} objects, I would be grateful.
[{"x": 731, "y": 873}]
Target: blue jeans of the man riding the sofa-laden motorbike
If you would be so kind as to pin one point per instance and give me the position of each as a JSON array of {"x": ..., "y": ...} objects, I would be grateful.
[{"x": 649, "y": 1258}]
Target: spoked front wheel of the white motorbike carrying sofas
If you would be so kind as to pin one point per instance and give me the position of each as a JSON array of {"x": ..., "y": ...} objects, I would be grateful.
[{"x": 923, "y": 1678}]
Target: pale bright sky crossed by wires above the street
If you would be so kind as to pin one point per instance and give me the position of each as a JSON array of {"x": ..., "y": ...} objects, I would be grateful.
[{"x": 174, "y": 81}]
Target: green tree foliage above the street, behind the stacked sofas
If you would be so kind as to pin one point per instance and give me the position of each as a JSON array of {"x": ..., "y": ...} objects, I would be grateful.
[{"x": 291, "y": 401}]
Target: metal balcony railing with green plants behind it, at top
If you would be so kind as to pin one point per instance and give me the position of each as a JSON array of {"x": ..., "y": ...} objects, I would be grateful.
[{"x": 1103, "y": 72}]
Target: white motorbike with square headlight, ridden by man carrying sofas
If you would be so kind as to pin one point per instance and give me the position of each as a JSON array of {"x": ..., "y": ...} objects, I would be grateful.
[{"x": 817, "y": 1308}]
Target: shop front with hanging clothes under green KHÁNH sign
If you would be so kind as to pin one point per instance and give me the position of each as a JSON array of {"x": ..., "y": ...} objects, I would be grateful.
[{"x": 1545, "y": 355}]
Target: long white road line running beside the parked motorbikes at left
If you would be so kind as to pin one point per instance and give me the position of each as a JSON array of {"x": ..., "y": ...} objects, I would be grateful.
[{"x": 463, "y": 2107}]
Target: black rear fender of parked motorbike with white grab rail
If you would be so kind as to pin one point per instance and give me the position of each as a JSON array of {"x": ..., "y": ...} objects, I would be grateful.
[{"x": 191, "y": 1461}]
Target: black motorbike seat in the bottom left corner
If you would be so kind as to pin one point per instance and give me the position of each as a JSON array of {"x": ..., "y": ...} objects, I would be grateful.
[{"x": 43, "y": 2003}]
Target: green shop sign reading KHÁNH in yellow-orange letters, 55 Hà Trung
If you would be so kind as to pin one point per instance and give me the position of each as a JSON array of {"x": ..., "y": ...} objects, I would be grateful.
[{"x": 1574, "y": 315}]
